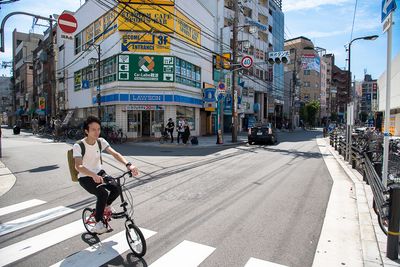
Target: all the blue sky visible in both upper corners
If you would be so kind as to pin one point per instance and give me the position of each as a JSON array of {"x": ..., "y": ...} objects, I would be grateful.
[{"x": 326, "y": 22}]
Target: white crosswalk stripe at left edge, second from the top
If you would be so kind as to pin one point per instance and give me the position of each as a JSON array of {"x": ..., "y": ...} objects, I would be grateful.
[{"x": 33, "y": 219}]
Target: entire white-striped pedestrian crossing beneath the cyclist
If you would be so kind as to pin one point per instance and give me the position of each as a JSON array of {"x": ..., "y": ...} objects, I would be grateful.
[{"x": 185, "y": 254}]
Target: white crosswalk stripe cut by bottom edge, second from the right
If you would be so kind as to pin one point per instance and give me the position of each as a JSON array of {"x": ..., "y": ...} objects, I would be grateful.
[{"x": 186, "y": 254}]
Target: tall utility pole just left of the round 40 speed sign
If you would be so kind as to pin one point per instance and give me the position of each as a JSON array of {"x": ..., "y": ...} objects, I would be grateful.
[{"x": 234, "y": 74}]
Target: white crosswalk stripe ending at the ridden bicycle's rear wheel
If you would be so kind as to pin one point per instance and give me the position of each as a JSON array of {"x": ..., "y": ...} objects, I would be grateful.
[{"x": 37, "y": 243}]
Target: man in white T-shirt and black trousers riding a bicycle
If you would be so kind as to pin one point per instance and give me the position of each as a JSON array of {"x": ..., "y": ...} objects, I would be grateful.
[{"x": 90, "y": 165}]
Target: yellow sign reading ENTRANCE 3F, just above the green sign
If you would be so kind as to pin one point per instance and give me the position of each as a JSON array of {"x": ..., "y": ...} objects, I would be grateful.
[{"x": 146, "y": 42}]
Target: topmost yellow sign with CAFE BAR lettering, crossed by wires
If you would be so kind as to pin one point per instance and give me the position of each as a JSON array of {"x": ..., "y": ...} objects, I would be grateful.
[{"x": 145, "y": 18}]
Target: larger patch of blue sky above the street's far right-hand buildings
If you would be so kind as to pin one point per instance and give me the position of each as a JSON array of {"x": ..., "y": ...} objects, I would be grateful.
[{"x": 328, "y": 24}]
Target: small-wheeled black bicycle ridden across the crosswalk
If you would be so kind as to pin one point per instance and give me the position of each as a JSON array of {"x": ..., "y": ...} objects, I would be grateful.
[{"x": 134, "y": 235}]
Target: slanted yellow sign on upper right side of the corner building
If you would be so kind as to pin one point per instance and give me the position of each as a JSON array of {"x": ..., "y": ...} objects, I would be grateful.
[{"x": 187, "y": 30}]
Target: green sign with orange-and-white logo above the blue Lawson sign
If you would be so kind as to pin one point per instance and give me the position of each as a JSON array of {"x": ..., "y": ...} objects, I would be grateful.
[{"x": 146, "y": 68}]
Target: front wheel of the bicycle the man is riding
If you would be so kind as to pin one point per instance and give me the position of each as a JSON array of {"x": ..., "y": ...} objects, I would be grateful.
[{"x": 135, "y": 238}]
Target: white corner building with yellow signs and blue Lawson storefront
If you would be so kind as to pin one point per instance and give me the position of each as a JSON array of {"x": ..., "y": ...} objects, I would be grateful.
[{"x": 145, "y": 78}]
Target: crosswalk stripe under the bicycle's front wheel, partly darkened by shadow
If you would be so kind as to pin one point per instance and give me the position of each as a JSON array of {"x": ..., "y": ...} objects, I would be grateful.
[{"x": 102, "y": 252}]
